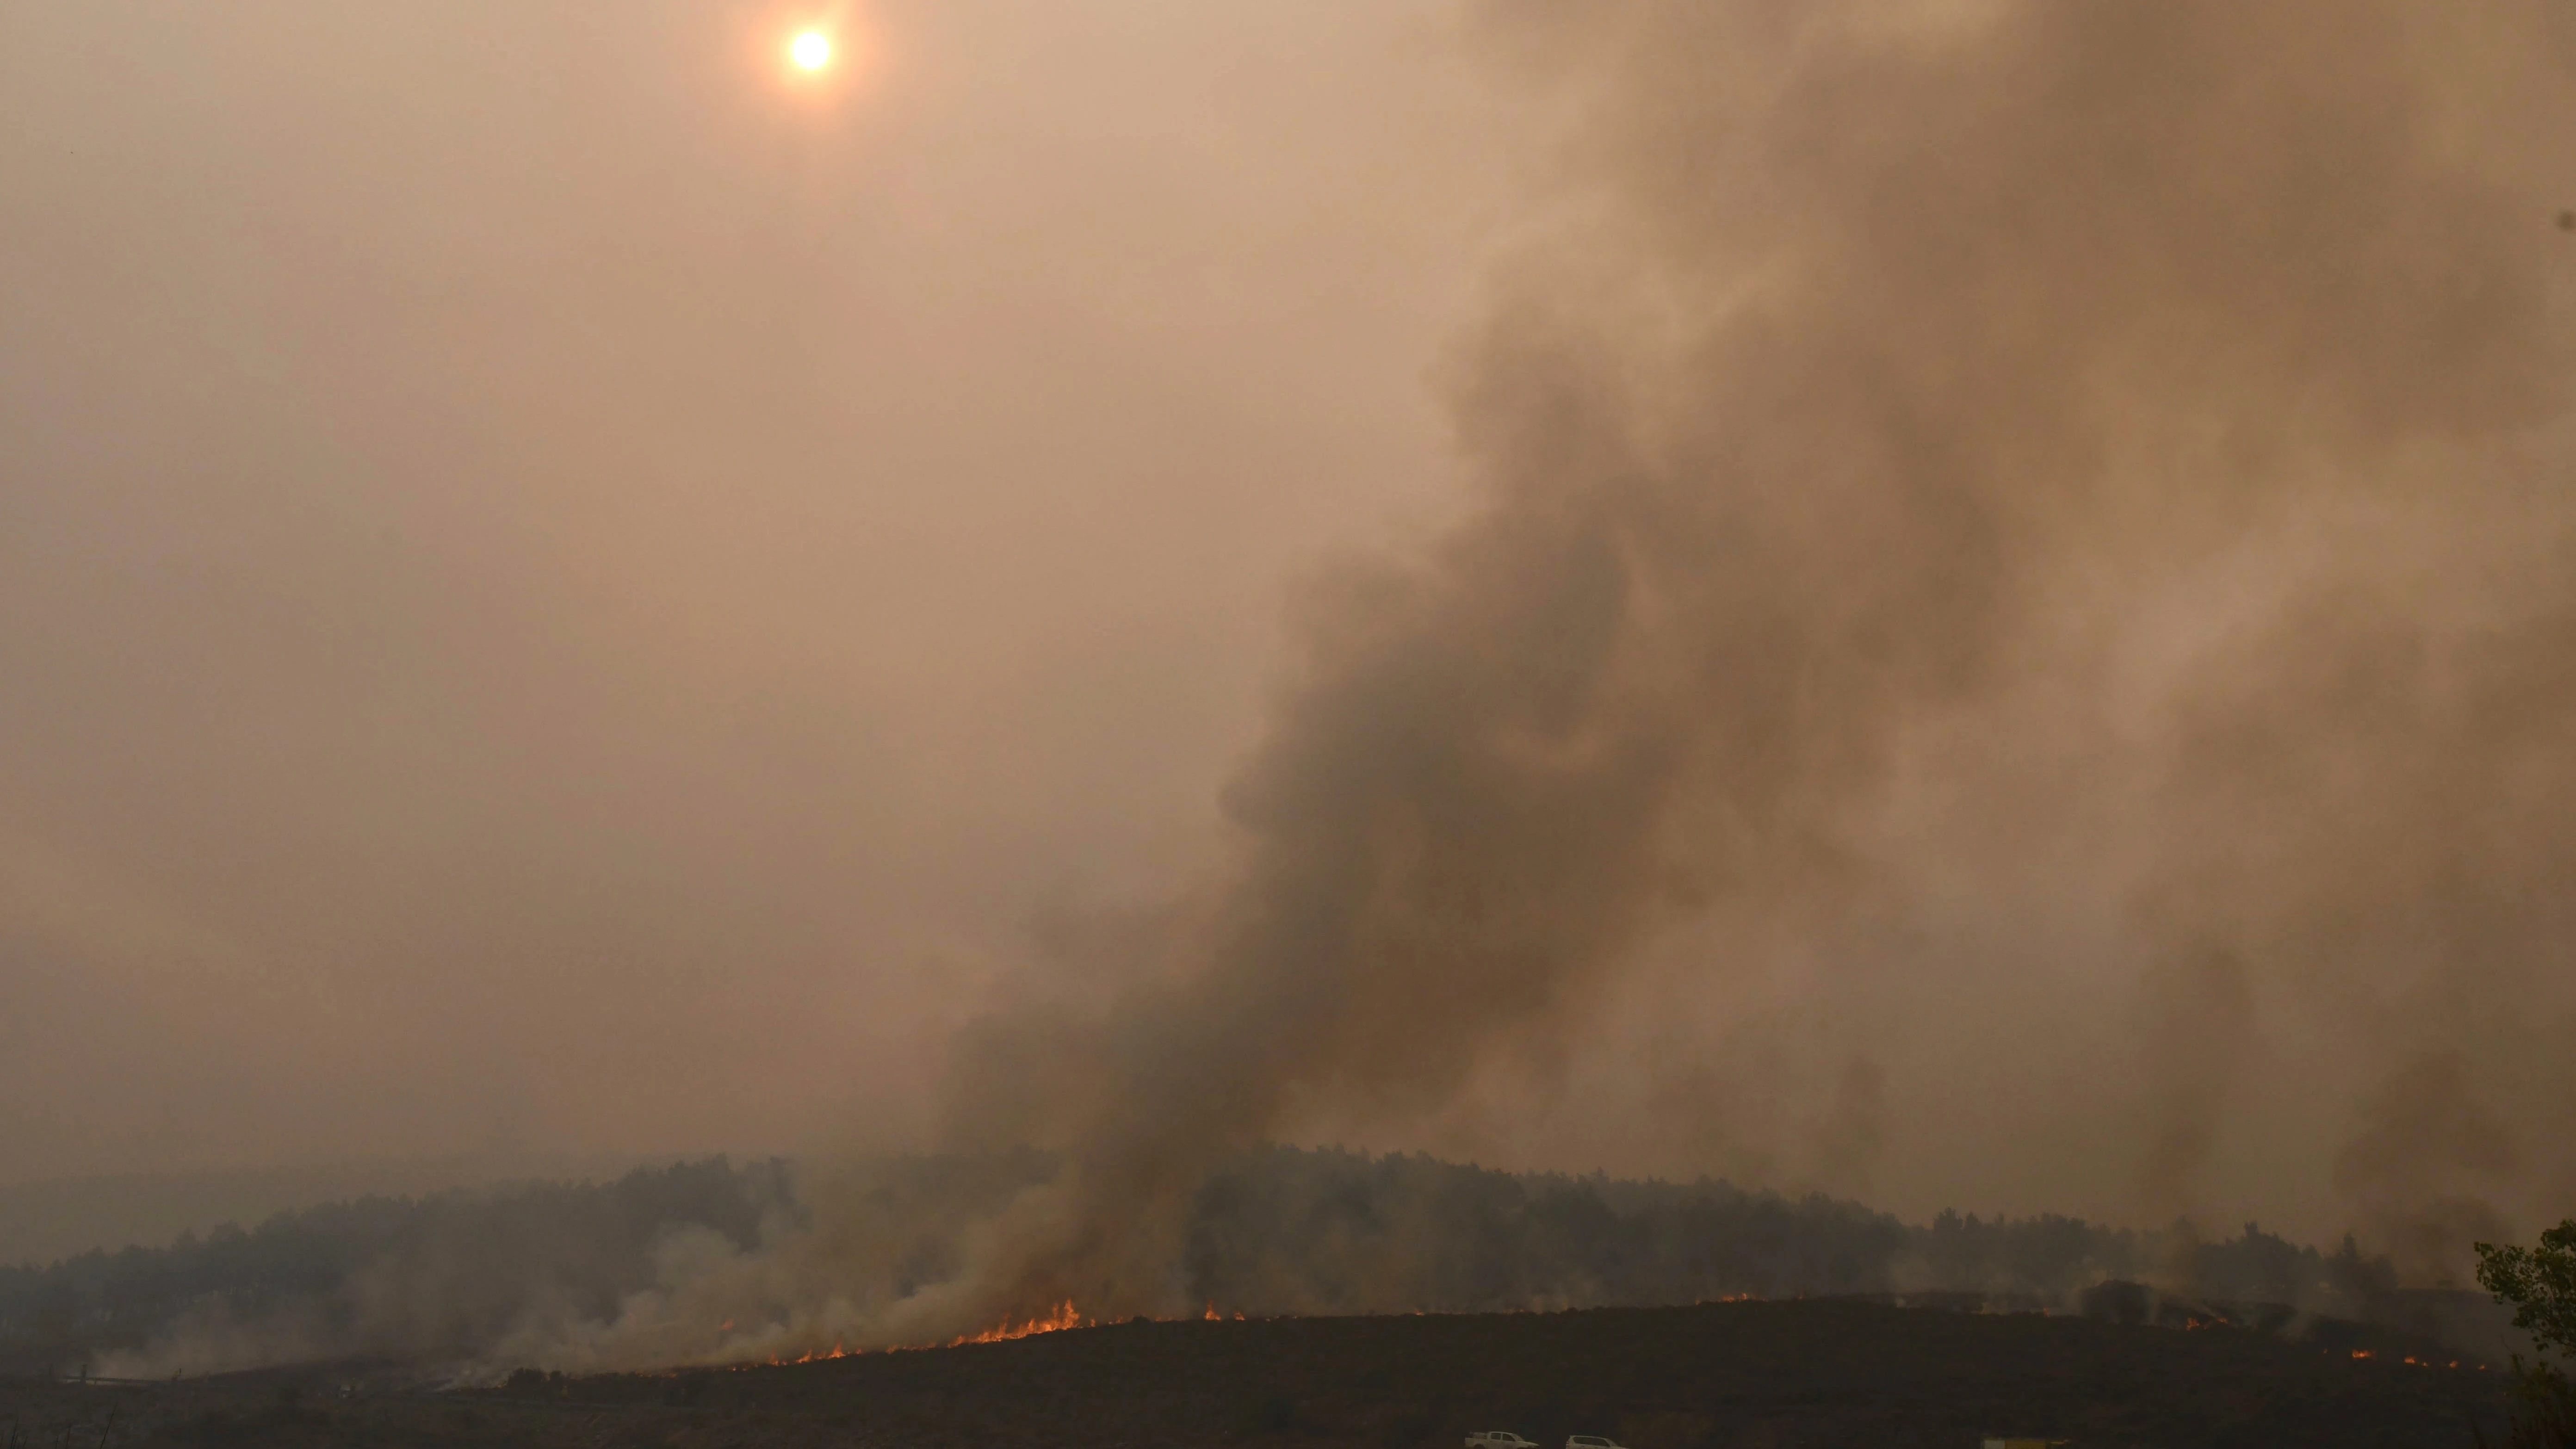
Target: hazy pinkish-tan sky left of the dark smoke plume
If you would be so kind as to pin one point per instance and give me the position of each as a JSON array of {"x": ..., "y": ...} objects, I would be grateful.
[{"x": 565, "y": 592}]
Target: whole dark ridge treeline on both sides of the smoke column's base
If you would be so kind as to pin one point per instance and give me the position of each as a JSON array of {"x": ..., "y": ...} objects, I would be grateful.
[{"x": 1279, "y": 1231}]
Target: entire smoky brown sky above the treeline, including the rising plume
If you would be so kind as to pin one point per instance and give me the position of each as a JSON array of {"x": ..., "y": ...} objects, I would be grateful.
[{"x": 571, "y": 592}]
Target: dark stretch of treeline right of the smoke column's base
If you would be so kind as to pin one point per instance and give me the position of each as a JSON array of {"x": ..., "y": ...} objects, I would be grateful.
[{"x": 1294, "y": 1231}]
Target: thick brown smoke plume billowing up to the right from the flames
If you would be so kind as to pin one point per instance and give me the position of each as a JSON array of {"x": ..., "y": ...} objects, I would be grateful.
[{"x": 2103, "y": 458}]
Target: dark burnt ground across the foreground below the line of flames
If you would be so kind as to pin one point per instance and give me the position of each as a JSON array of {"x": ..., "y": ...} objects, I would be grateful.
[{"x": 1743, "y": 1376}]
